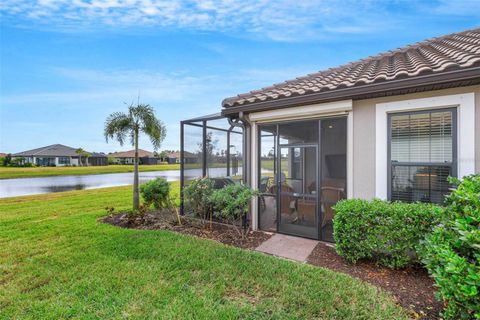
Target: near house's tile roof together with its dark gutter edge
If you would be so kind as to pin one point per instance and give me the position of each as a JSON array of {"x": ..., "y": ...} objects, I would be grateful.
[{"x": 437, "y": 63}]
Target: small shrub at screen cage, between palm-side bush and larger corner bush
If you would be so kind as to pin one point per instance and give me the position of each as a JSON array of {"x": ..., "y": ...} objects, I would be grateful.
[{"x": 197, "y": 196}]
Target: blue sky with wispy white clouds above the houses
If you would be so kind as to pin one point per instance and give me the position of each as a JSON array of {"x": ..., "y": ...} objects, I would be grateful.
[{"x": 65, "y": 65}]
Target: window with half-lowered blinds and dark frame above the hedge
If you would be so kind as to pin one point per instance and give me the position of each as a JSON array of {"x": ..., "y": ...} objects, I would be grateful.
[{"x": 422, "y": 155}]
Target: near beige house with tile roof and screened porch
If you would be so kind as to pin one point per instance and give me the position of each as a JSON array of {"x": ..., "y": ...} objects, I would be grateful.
[{"x": 392, "y": 126}]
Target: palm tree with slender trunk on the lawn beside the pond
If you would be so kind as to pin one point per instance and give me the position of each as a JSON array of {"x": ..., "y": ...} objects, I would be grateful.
[{"x": 140, "y": 118}]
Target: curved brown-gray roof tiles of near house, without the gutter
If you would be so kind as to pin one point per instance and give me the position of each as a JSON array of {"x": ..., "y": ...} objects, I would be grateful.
[{"x": 434, "y": 56}]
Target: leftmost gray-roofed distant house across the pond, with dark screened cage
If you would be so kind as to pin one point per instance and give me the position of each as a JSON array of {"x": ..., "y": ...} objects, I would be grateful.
[{"x": 58, "y": 155}]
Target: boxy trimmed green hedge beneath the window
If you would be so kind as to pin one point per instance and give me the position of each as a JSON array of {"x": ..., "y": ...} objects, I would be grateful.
[{"x": 386, "y": 232}]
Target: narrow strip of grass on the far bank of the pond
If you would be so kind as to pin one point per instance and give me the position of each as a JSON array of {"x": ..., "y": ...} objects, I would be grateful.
[{"x": 10, "y": 172}]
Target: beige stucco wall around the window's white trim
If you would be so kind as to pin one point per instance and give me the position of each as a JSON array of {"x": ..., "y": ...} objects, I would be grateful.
[{"x": 364, "y": 136}]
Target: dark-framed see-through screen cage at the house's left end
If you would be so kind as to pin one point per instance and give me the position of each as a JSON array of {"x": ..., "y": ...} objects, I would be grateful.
[{"x": 211, "y": 146}]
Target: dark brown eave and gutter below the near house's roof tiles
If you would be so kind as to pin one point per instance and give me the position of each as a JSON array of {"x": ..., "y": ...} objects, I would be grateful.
[{"x": 362, "y": 92}]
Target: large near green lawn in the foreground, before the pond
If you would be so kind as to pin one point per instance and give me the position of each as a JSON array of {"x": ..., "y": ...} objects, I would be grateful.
[{"x": 57, "y": 262}]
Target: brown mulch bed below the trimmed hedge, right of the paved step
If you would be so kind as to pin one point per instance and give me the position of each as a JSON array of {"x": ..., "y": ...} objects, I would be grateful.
[{"x": 412, "y": 288}]
